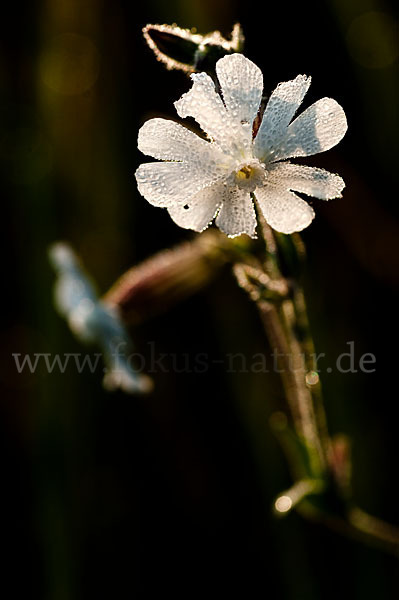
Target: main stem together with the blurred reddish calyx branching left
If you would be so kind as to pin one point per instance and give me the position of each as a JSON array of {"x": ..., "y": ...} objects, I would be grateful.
[{"x": 170, "y": 276}]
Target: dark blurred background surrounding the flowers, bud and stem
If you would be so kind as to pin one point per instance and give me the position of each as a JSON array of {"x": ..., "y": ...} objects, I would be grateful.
[{"x": 107, "y": 495}]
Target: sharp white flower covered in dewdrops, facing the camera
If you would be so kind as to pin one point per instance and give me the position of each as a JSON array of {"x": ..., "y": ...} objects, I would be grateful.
[{"x": 221, "y": 175}]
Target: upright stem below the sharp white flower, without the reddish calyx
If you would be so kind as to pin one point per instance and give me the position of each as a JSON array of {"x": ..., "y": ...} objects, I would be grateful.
[{"x": 286, "y": 324}]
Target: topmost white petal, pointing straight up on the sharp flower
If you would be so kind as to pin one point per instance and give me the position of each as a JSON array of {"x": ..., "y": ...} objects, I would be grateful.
[{"x": 241, "y": 83}]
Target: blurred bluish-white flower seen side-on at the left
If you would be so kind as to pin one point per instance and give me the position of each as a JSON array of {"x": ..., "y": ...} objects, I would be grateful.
[{"x": 92, "y": 321}]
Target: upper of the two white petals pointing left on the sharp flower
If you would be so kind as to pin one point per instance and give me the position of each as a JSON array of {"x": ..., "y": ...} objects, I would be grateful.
[{"x": 167, "y": 140}]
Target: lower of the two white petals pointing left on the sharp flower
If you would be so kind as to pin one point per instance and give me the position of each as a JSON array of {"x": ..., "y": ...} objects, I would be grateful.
[{"x": 166, "y": 184}]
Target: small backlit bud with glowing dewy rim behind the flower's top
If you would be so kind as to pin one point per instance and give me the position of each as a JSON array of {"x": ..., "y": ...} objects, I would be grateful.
[{"x": 189, "y": 51}]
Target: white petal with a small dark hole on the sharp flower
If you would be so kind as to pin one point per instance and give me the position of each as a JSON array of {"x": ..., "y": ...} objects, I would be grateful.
[{"x": 199, "y": 210}]
